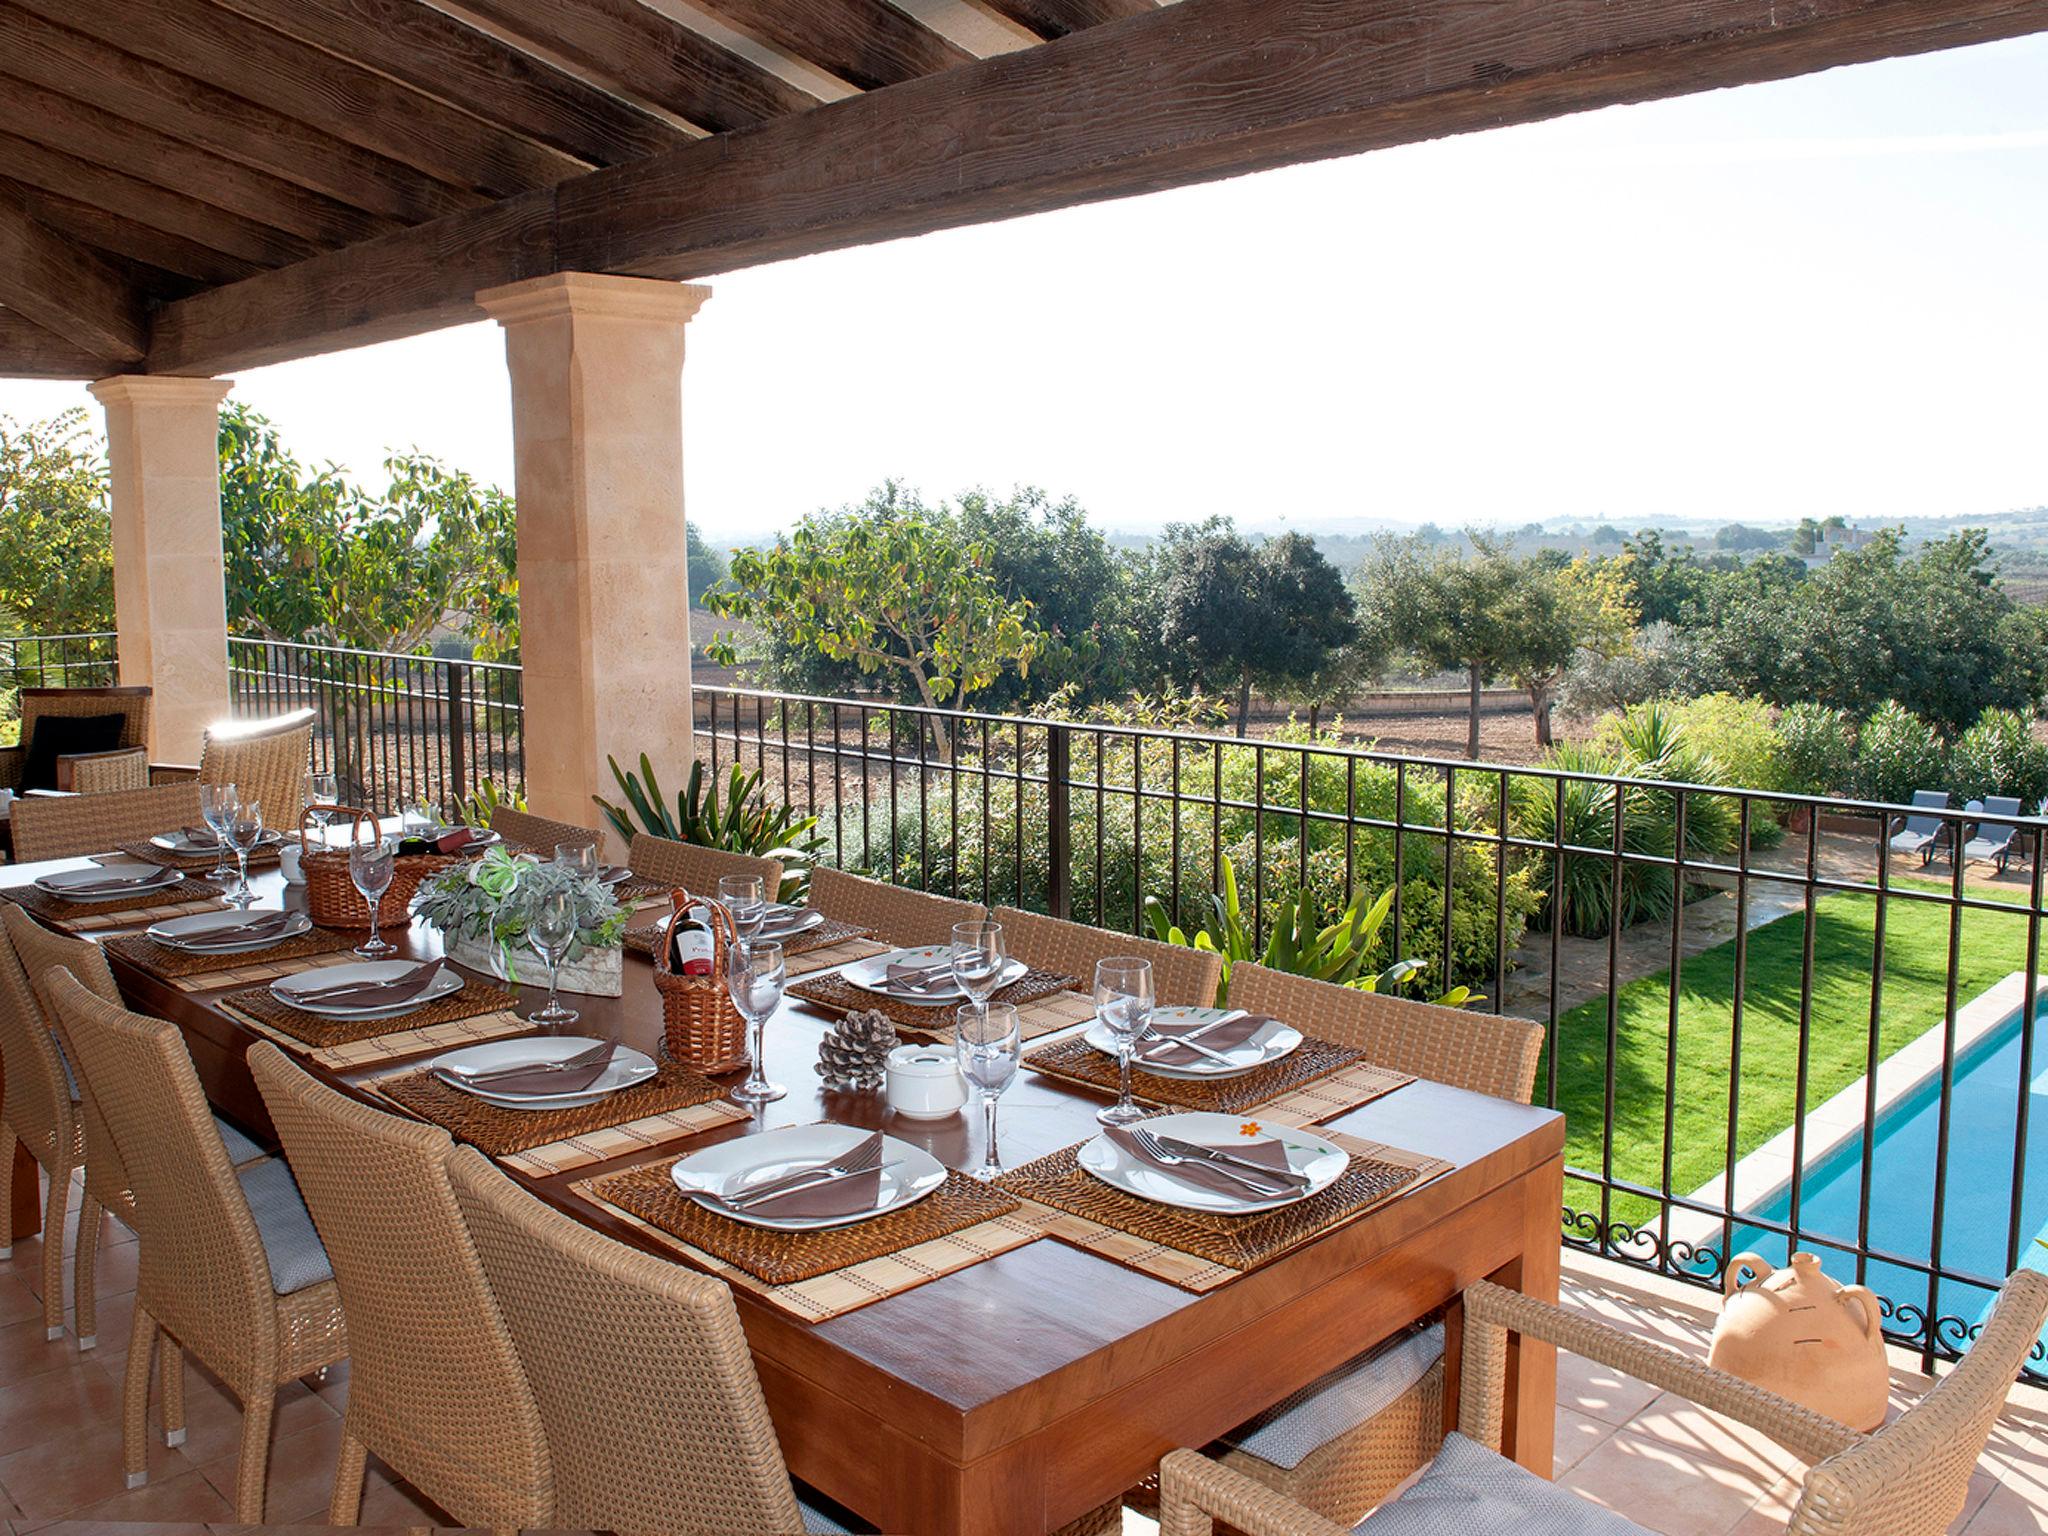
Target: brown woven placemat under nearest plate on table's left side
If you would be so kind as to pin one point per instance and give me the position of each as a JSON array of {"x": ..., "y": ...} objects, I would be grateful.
[{"x": 787, "y": 1258}]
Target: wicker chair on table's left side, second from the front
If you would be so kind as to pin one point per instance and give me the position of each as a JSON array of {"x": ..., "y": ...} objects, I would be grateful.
[{"x": 435, "y": 1388}]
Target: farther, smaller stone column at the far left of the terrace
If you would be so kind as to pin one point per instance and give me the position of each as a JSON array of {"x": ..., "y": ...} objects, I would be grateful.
[{"x": 171, "y": 601}]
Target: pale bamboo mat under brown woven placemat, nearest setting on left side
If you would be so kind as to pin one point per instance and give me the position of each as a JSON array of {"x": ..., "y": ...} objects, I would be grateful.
[{"x": 855, "y": 1285}]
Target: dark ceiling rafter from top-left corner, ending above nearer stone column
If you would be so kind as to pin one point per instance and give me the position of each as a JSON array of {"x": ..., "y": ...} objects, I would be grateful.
[{"x": 316, "y": 89}]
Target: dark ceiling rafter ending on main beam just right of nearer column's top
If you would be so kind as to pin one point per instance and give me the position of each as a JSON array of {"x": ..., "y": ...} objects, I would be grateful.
[{"x": 654, "y": 58}]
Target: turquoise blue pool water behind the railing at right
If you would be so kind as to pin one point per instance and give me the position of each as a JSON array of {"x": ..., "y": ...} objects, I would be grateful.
[{"x": 1977, "y": 1213}]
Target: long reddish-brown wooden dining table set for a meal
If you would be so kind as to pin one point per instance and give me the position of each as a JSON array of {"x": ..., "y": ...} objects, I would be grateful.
[{"x": 1027, "y": 1390}]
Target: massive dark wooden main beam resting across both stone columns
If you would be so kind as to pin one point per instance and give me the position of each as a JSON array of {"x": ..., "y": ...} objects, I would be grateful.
[{"x": 1191, "y": 93}]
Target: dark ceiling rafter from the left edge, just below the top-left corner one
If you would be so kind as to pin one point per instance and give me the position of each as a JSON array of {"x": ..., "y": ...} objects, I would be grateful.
[{"x": 85, "y": 132}]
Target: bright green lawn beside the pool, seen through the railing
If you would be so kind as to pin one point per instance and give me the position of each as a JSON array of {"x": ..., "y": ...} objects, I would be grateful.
[{"x": 1916, "y": 976}]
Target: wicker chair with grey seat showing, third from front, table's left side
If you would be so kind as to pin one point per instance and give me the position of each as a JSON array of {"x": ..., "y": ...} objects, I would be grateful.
[{"x": 230, "y": 1269}]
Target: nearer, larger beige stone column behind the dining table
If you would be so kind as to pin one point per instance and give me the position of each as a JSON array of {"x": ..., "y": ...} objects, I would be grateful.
[{"x": 603, "y": 574}]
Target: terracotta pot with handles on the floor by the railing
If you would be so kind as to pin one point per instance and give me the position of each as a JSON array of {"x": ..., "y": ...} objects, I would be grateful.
[{"x": 1803, "y": 1336}]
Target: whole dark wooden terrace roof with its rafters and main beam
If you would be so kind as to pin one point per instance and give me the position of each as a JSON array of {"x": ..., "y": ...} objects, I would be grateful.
[{"x": 200, "y": 185}]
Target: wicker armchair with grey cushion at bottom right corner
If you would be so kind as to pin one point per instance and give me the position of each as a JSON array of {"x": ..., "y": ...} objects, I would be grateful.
[{"x": 1904, "y": 1480}]
